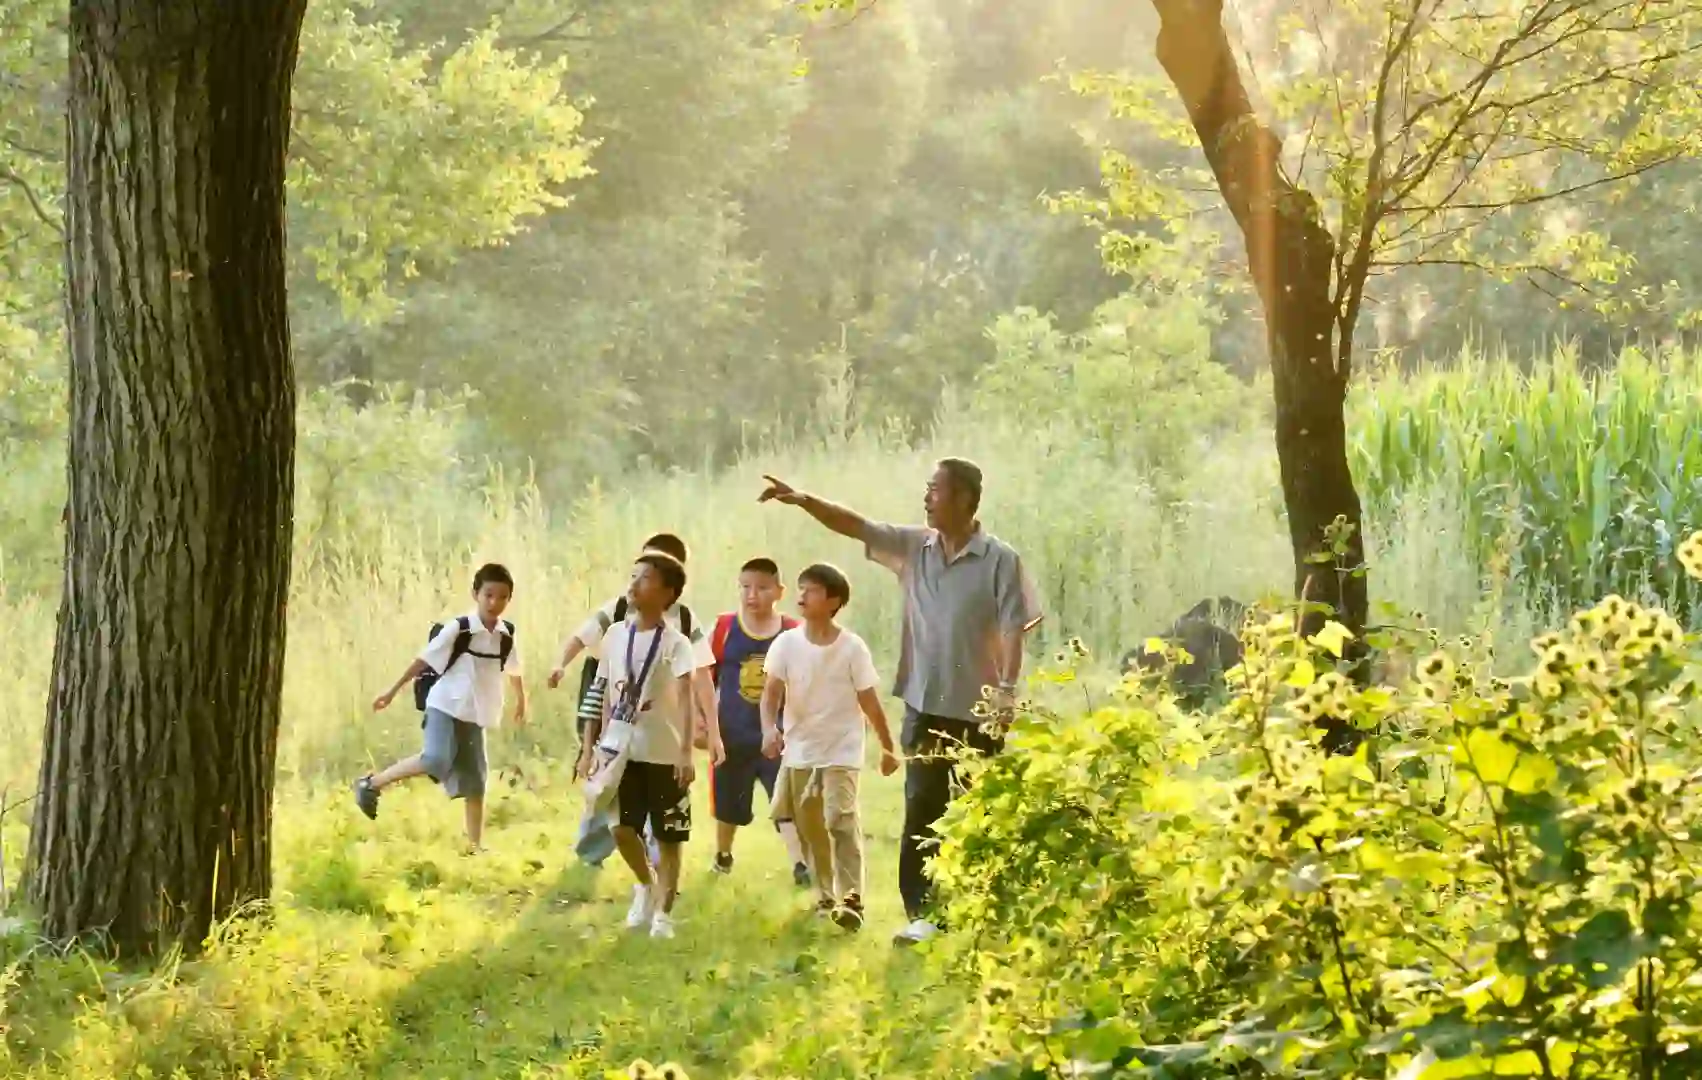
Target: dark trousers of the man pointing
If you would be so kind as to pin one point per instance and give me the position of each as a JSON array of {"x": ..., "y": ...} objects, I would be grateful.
[{"x": 930, "y": 783}]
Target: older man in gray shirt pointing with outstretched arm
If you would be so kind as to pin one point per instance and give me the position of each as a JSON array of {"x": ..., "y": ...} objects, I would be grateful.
[{"x": 968, "y": 605}]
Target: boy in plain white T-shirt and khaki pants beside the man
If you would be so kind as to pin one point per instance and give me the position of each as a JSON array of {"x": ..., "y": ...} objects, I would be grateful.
[{"x": 825, "y": 678}]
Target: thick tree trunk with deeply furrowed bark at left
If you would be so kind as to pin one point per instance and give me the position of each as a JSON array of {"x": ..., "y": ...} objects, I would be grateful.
[{"x": 163, "y": 727}]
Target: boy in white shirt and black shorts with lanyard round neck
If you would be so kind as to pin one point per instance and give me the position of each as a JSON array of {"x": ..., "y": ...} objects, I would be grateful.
[{"x": 649, "y": 668}]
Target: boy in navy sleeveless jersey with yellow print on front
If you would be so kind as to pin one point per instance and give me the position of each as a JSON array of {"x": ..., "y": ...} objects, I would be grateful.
[{"x": 740, "y": 645}]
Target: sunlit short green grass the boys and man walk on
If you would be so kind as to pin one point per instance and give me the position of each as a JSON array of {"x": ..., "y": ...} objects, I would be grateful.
[{"x": 392, "y": 957}]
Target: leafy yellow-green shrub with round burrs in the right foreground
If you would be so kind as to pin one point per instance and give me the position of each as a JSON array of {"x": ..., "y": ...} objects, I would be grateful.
[{"x": 1499, "y": 884}]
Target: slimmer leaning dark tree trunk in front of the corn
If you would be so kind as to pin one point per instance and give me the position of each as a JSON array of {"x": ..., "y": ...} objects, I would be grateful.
[{"x": 1291, "y": 256}]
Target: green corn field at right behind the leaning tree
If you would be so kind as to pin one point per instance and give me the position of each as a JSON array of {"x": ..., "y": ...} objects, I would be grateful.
[{"x": 1573, "y": 484}]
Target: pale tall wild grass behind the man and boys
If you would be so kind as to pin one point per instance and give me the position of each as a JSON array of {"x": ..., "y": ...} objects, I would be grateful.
[{"x": 1114, "y": 560}]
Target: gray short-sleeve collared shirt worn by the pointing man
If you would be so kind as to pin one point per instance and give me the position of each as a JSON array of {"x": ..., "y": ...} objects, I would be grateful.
[{"x": 956, "y": 613}]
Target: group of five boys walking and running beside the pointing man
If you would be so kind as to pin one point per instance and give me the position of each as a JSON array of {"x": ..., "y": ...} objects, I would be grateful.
[{"x": 775, "y": 702}]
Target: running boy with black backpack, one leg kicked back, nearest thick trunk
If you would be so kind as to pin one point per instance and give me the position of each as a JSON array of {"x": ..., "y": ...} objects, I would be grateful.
[{"x": 459, "y": 688}]
